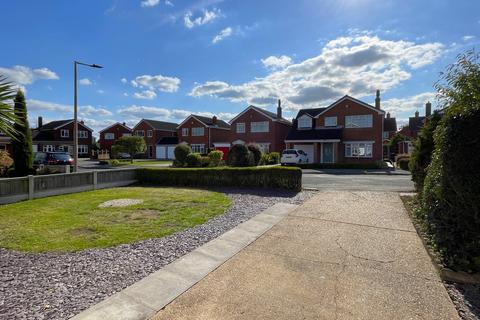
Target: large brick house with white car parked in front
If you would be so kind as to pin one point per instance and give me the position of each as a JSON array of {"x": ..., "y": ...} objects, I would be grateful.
[{"x": 347, "y": 131}]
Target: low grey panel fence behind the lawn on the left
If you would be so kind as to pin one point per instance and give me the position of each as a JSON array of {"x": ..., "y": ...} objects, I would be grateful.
[{"x": 31, "y": 187}]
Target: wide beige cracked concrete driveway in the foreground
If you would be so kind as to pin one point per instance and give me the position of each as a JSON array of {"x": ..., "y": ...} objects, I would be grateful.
[{"x": 341, "y": 255}]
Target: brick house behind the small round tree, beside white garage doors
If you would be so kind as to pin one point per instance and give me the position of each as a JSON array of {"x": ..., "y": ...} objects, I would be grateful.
[{"x": 152, "y": 131}]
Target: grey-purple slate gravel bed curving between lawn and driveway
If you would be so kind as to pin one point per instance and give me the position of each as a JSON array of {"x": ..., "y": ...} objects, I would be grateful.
[{"x": 58, "y": 286}]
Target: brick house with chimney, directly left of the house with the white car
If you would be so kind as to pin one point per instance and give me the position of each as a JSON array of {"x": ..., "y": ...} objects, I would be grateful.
[{"x": 266, "y": 129}]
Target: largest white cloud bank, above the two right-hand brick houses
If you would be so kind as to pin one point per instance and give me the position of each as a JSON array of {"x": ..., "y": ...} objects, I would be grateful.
[{"x": 355, "y": 65}]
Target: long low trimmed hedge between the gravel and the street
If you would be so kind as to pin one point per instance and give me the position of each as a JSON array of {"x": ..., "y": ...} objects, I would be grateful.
[{"x": 271, "y": 177}]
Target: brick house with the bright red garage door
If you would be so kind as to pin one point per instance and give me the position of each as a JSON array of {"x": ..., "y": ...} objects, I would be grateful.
[{"x": 205, "y": 133}]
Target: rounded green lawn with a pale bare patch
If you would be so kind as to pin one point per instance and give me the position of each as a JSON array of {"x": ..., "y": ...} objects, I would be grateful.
[{"x": 74, "y": 221}]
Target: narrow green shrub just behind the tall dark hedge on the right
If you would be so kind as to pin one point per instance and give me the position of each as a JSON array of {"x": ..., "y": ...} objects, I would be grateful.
[{"x": 422, "y": 152}]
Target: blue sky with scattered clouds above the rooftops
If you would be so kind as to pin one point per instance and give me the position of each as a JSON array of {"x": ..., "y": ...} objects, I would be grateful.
[{"x": 166, "y": 59}]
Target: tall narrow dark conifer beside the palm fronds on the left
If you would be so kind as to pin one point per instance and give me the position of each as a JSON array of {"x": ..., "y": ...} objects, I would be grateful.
[{"x": 22, "y": 146}]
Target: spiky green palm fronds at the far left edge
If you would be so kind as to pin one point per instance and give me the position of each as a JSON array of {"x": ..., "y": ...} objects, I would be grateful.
[{"x": 7, "y": 115}]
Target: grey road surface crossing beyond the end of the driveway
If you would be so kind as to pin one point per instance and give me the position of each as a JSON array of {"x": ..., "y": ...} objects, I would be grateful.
[{"x": 357, "y": 180}]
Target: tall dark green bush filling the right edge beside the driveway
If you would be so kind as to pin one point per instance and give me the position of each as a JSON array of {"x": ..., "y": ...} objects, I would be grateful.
[{"x": 450, "y": 198}]
